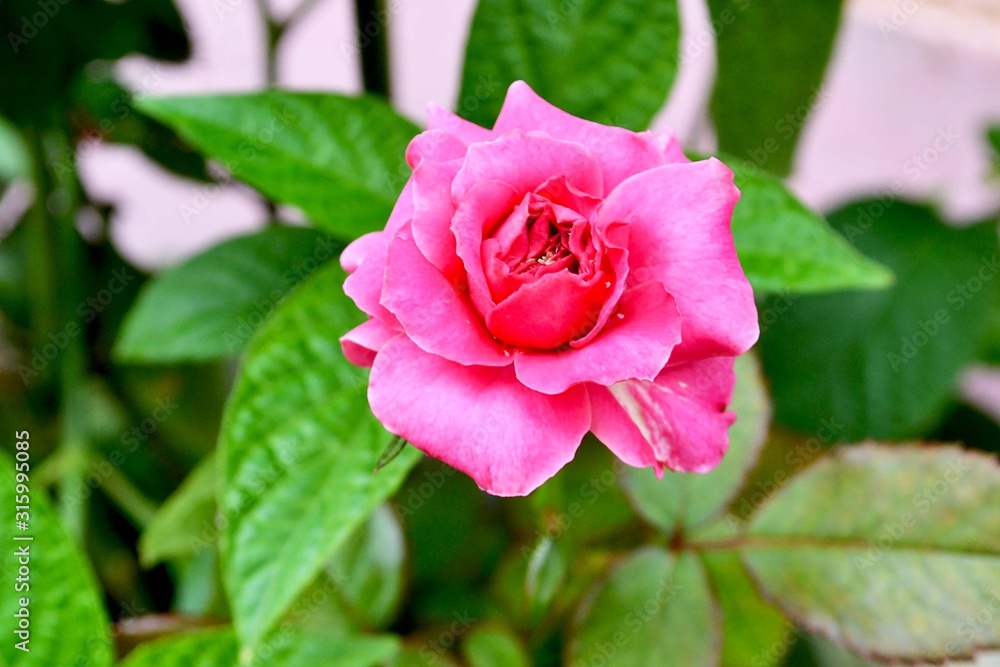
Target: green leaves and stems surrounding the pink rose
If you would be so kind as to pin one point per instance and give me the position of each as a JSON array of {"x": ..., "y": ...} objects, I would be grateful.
[{"x": 202, "y": 454}]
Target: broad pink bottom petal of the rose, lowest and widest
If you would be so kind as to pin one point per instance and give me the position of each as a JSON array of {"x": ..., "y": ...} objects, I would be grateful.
[{"x": 481, "y": 421}]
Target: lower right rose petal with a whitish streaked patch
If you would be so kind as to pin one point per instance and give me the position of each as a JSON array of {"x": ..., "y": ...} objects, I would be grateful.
[{"x": 677, "y": 422}]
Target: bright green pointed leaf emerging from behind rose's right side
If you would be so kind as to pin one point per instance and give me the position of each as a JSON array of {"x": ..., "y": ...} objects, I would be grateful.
[{"x": 785, "y": 247}]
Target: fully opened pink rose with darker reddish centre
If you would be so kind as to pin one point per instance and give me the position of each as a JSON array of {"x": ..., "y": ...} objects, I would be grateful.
[{"x": 546, "y": 278}]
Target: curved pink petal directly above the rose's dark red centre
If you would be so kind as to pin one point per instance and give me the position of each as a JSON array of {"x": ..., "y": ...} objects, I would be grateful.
[{"x": 526, "y": 161}]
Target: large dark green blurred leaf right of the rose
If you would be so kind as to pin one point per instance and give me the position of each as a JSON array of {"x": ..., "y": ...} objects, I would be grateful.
[{"x": 884, "y": 364}]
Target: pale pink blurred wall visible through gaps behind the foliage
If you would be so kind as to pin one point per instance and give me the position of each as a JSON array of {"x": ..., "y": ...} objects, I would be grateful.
[{"x": 903, "y": 72}]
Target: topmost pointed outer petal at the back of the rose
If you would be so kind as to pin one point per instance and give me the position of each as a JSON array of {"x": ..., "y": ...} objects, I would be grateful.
[{"x": 621, "y": 152}]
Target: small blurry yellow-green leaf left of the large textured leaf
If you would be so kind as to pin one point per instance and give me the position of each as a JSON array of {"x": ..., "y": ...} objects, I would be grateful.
[{"x": 185, "y": 523}]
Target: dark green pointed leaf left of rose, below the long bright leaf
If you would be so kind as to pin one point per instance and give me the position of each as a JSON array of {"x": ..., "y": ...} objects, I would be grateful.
[{"x": 209, "y": 306}]
